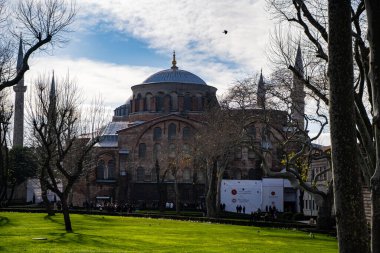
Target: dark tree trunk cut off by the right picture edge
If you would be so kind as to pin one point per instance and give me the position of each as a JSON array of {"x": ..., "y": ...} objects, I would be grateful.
[{"x": 373, "y": 17}]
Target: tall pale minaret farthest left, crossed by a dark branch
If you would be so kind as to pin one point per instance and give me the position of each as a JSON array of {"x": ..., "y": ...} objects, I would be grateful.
[{"x": 19, "y": 89}]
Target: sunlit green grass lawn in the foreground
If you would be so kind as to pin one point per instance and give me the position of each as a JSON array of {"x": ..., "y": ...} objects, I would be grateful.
[{"x": 94, "y": 233}]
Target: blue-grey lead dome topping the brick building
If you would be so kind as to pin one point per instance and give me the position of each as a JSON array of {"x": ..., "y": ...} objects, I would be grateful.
[{"x": 174, "y": 76}]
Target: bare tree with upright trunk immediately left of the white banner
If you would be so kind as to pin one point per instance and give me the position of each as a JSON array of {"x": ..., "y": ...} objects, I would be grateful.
[{"x": 215, "y": 143}]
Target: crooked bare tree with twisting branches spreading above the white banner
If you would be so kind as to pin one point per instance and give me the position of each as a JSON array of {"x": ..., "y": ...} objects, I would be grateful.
[{"x": 286, "y": 142}]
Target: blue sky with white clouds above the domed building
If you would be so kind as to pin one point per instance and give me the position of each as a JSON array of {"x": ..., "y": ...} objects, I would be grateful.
[{"x": 116, "y": 44}]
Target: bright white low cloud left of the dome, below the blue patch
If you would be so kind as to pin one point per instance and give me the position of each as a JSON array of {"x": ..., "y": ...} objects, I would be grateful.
[{"x": 113, "y": 82}]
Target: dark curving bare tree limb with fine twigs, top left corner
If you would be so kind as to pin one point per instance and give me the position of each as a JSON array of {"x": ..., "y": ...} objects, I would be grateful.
[{"x": 42, "y": 23}]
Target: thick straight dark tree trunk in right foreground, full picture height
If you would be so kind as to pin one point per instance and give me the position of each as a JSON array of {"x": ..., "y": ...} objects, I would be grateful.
[{"x": 351, "y": 224}]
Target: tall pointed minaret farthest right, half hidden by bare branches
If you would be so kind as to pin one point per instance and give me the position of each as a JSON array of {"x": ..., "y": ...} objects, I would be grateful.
[{"x": 298, "y": 94}]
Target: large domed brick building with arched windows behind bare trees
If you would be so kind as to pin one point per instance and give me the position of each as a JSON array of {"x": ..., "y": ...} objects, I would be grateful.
[{"x": 157, "y": 124}]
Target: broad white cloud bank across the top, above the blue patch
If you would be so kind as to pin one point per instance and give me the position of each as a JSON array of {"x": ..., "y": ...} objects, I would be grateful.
[{"x": 193, "y": 28}]
